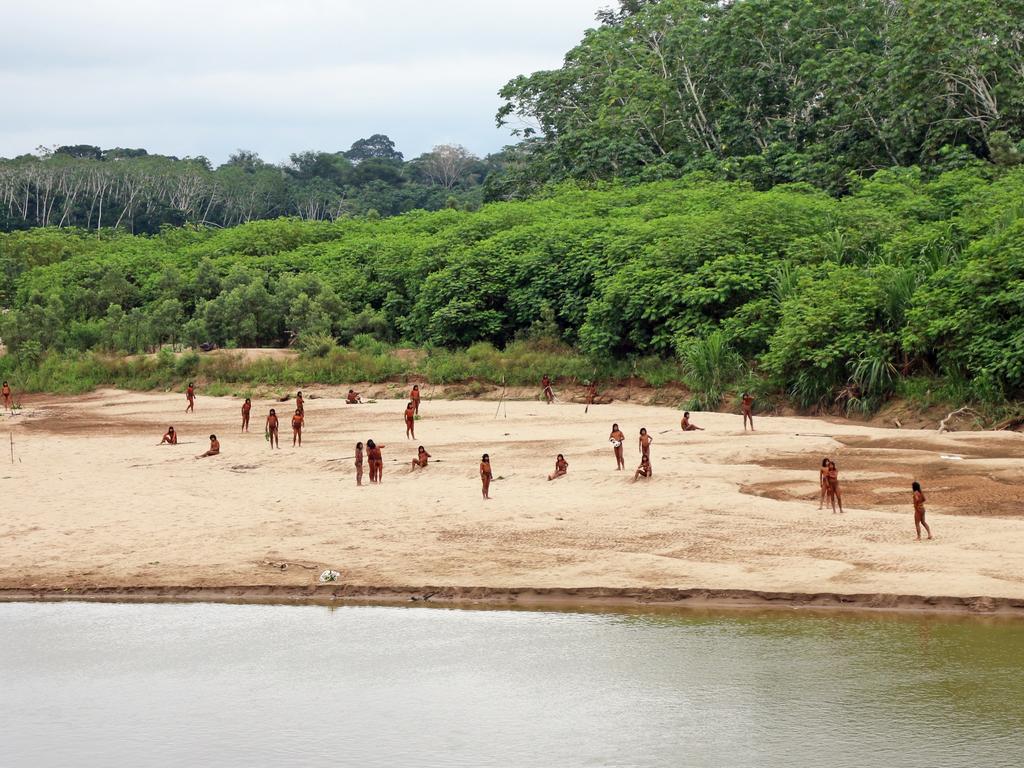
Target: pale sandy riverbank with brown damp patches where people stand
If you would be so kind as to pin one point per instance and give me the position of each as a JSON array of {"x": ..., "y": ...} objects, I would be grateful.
[{"x": 94, "y": 507}]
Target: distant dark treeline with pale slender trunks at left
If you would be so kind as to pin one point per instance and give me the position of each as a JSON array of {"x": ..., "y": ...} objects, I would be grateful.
[{"x": 90, "y": 188}]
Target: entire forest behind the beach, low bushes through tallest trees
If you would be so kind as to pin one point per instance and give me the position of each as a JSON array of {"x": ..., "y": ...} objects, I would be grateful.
[{"x": 823, "y": 200}]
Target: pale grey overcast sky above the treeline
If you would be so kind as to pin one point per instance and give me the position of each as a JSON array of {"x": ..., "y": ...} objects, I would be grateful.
[{"x": 206, "y": 77}]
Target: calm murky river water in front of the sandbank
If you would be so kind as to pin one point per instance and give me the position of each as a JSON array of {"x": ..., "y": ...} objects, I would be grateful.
[{"x": 89, "y": 685}]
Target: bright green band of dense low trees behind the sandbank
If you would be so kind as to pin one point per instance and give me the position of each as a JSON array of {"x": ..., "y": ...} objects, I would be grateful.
[{"x": 825, "y": 298}]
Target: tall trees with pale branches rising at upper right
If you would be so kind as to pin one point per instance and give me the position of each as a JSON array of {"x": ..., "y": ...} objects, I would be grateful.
[{"x": 772, "y": 92}]
